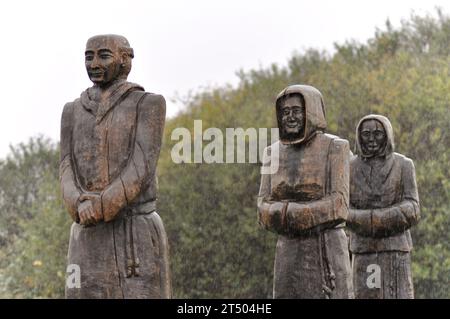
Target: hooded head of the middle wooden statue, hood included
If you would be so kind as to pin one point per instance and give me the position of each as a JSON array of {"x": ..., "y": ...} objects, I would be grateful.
[{"x": 300, "y": 113}]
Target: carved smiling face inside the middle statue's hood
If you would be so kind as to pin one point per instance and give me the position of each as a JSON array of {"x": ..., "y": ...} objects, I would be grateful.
[{"x": 293, "y": 116}]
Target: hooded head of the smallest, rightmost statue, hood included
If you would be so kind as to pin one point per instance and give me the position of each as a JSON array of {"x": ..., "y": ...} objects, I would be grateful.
[{"x": 374, "y": 136}]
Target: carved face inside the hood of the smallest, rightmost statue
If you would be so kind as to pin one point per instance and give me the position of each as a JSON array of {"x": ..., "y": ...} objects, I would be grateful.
[{"x": 372, "y": 137}]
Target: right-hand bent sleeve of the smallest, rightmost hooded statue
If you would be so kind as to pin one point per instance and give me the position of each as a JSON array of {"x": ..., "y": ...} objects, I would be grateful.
[{"x": 395, "y": 219}]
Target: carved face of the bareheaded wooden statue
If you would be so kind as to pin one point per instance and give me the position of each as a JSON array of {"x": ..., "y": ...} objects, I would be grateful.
[{"x": 103, "y": 60}]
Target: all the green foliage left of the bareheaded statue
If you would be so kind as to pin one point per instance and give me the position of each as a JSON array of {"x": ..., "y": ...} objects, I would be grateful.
[{"x": 34, "y": 223}]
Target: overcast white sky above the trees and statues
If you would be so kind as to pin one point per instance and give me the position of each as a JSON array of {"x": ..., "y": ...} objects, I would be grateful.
[{"x": 179, "y": 46}]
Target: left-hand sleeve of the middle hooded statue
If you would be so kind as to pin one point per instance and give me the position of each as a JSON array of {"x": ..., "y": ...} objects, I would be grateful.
[{"x": 270, "y": 213}]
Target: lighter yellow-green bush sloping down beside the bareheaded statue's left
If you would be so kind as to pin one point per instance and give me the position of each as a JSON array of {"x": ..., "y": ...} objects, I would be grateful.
[{"x": 36, "y": 261}]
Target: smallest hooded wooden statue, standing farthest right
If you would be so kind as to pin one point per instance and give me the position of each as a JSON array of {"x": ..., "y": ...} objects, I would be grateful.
[{"x": 384, "y": 204}]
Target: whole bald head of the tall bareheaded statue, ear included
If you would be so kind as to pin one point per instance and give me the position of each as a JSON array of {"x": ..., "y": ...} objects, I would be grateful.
[{"x": 108, "y": 58}]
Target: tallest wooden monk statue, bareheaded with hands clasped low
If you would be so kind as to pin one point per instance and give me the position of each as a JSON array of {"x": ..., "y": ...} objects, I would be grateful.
[{"x": 110, "y": 143}]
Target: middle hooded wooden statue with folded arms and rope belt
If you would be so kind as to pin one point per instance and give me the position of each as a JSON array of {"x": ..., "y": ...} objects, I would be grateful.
[{"x": 306, "y": 200}]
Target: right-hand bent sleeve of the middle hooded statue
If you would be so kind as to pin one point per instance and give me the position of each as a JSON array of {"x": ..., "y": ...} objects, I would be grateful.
[{"x": 332, "y": 209}]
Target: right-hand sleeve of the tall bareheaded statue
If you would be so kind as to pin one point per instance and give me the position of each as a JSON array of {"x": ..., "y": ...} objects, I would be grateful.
[{"x": 141, "y": 165}]
